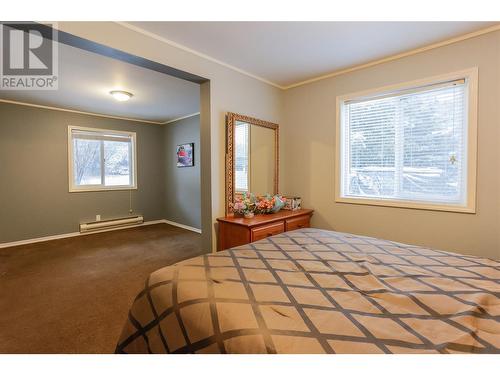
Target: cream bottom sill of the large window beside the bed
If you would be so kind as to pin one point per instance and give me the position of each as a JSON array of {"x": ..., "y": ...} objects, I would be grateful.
[{"x": 470, "y": 209}]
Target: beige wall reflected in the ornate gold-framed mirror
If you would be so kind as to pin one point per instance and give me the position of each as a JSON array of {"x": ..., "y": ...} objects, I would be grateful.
[{"x": 262, "y": 164}]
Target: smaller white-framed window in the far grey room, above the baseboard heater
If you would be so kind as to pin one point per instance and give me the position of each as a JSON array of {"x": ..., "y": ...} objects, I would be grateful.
[{"x": 101, "y": 159}]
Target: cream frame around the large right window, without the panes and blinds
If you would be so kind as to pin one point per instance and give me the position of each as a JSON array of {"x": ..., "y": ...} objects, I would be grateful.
[{"x": 471, "y": 78}]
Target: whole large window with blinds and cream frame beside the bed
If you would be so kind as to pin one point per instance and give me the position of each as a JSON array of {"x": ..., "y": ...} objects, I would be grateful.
[{"x": 410, "y": 146}]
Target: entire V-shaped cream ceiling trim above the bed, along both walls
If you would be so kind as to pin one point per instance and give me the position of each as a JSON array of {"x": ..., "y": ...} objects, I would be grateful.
[{"x": 324, "y": 76}]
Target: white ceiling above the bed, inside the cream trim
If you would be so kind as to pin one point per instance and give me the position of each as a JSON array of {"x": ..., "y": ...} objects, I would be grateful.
[{"x": 289, "y": 52}]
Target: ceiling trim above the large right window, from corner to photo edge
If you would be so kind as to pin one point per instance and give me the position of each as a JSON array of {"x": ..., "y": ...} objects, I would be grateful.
[{"x": 397, "y": 56}]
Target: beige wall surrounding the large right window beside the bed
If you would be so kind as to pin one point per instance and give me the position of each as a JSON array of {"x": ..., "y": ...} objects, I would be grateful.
[{"x": 309, "y": 135}]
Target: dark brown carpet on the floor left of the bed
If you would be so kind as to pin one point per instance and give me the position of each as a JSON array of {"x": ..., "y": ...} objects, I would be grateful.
[{"x": 73, "y": 295}]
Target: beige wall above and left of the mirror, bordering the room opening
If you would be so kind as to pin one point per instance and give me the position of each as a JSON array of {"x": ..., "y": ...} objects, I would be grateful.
[{"x": 229, "y": 91}]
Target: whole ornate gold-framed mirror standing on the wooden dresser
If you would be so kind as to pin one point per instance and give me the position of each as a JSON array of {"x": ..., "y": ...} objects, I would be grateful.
[{"x": 252, "y": 157}]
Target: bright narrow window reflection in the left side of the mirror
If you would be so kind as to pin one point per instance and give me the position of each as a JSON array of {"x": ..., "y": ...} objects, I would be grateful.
[{"x": 241, "y": 165}]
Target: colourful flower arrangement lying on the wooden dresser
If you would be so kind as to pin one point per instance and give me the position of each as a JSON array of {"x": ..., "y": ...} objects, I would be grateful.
[{"x": 248, "y": 204}]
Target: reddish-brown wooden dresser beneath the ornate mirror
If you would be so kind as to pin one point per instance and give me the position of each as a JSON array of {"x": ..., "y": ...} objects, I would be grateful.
[{"x": 236, "y": 231}]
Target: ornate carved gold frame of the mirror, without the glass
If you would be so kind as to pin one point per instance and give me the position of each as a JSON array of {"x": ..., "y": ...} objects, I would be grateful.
[{"x": 231, "y": 119}]
